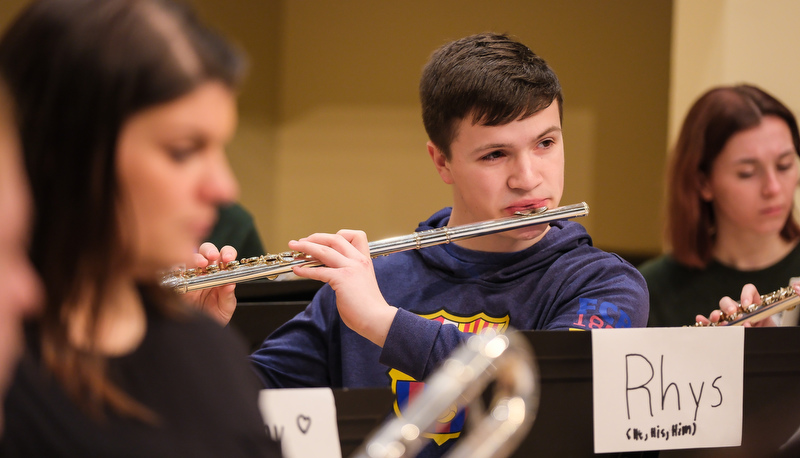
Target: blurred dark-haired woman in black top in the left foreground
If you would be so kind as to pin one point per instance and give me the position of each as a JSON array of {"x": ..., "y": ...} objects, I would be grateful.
[{"x": 124, "y": 108}]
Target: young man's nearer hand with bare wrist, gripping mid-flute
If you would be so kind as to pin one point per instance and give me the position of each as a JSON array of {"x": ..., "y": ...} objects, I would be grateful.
[{"x": 347, "y": 267}]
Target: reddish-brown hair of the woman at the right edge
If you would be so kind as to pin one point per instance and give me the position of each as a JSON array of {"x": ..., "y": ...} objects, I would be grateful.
[{"x": 713, "y": 119}]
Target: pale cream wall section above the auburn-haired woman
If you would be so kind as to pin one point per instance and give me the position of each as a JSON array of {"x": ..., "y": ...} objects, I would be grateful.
[{"x": 733, "y": 41}]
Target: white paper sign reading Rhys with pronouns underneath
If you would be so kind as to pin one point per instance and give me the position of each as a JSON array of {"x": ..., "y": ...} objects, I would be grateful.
[{"x": 667, "y": 388}]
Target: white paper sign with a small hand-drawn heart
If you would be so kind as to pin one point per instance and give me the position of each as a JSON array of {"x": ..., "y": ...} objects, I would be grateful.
[{"x": 303, "y": 419}]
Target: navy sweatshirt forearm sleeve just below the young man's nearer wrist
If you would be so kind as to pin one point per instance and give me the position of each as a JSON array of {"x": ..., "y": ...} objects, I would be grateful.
[{"x": 417, "y": 345}]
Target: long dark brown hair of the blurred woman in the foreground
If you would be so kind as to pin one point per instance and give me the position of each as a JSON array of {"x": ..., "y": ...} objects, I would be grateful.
[{"x": 78, "y": 69}]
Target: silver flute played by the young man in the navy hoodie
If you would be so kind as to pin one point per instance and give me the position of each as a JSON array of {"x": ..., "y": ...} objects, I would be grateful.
[{"x": 272, "y": 265}]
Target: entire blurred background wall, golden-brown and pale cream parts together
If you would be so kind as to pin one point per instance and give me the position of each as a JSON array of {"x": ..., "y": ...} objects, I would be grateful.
[{"x": 330, "y": 134}]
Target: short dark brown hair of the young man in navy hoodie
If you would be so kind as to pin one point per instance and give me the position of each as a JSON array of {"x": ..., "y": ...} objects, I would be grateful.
[{"x": 488, "y": 76}]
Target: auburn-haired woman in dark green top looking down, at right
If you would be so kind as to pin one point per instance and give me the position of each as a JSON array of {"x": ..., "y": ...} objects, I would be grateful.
[{"x": 730, "y": 202}]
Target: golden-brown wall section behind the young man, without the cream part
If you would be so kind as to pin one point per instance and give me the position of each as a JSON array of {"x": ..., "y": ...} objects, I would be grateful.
[{"x": 349, "y": 147}]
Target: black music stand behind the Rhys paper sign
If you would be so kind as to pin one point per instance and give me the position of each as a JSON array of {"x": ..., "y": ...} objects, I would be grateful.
[{"x": 564, "y": 422}]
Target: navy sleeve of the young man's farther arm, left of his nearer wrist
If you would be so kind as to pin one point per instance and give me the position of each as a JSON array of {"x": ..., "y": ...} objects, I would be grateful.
[{"x": 298, "y": 353}]
